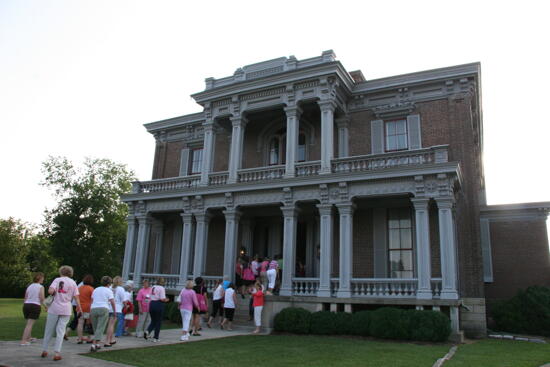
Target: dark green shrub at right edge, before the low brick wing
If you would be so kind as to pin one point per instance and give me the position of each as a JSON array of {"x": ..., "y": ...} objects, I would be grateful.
[{"x": 527, "y": 312}]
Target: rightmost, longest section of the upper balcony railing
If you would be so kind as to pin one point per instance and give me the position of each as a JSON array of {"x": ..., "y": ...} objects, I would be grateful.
[{"x": 389, "y": 160}]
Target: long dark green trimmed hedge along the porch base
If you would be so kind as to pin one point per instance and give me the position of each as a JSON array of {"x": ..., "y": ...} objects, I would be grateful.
[{"x": 387, "y": 322}]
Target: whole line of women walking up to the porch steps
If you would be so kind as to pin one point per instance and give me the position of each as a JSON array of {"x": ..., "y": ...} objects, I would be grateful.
[{"x": 112, "y": 303}]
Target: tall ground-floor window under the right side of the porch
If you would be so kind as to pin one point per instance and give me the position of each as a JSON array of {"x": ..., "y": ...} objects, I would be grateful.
[{"x": 400, "y": 243}]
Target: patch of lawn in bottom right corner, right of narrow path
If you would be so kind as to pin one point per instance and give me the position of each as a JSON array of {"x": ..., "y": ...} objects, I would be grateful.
[{"x": 501, "y": 353}]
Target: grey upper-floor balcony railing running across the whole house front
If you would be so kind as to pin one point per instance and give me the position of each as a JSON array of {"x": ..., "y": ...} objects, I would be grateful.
[{"x": 437, "y": 154}]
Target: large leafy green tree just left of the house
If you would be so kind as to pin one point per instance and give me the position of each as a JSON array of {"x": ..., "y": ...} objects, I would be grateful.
[{"x": 87, "y": 228}]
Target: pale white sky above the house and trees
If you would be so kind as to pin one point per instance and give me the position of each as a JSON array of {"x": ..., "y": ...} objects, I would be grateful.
[{"x": 80, "y": 78}]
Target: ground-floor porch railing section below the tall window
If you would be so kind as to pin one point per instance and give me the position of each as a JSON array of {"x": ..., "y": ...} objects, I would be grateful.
[{"x": 385, "y": 288}]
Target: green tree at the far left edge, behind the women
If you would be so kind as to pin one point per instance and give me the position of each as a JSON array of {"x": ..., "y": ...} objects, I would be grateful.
[{"x": 14, "y": 271}]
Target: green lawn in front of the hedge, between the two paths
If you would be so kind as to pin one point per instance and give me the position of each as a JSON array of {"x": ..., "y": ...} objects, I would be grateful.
[{"x": 281, "y": 350}]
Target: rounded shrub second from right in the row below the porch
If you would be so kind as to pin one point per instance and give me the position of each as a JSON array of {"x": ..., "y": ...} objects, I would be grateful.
[{"x": 390, "y": 323}]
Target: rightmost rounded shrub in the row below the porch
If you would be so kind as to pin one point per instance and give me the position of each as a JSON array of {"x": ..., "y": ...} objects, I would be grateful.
[{"x": 429, "y": 326}]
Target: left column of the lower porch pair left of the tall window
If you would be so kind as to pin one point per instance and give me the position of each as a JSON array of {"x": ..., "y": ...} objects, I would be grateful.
[{"x": 325, "y": 265}]
